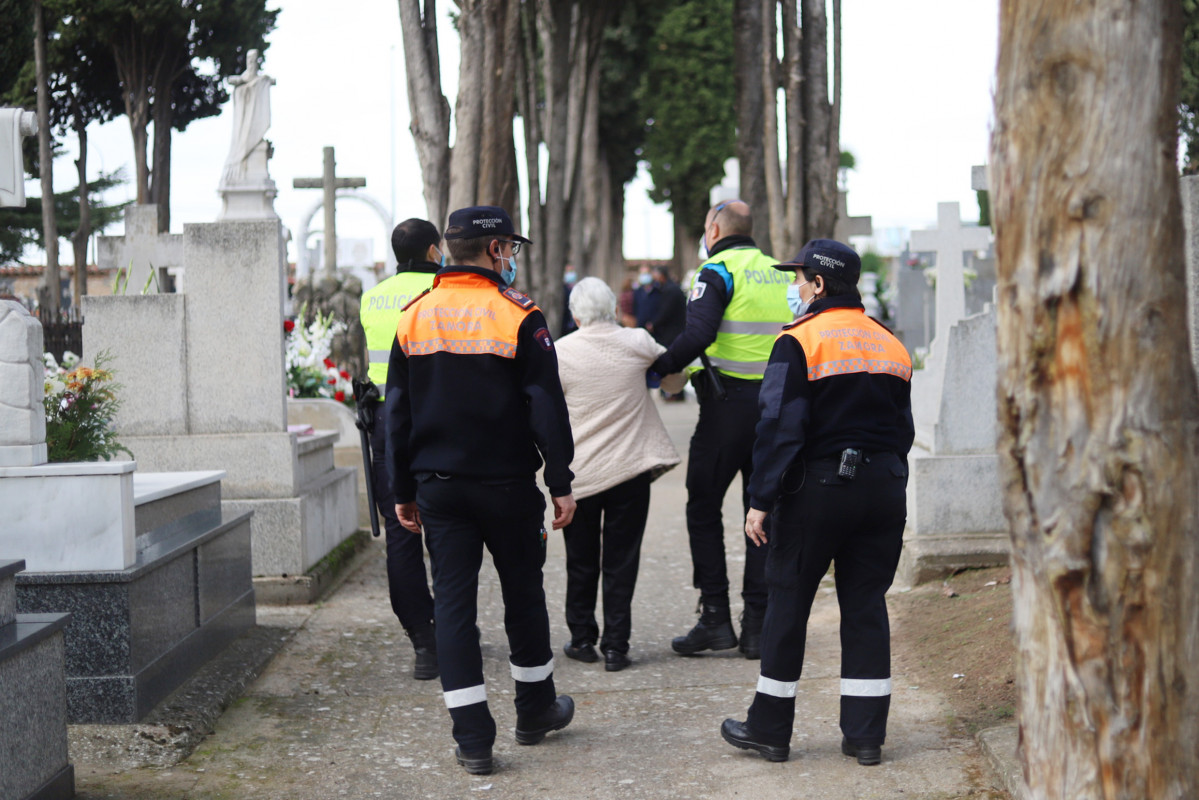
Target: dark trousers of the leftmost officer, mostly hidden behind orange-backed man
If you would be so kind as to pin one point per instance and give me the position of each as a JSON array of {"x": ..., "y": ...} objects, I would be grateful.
[{"x": 408, "y": 585}]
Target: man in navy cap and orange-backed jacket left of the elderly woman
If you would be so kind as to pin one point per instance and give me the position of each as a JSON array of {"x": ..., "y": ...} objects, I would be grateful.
[{"x": 474, "y": 406}]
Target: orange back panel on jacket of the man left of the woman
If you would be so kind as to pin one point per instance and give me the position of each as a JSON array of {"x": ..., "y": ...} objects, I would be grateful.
[{"x": 465, "y": 315}]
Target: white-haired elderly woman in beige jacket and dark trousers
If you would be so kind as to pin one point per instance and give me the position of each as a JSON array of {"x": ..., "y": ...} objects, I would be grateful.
[{"x": 620, "y": 447}]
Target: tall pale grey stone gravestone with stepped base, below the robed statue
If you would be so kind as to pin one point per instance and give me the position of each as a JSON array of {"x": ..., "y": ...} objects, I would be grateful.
[{"x": 204, "y": 376}]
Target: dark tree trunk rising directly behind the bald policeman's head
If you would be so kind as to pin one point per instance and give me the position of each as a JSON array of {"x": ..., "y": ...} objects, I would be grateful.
[{"x": 756, "y": 103}]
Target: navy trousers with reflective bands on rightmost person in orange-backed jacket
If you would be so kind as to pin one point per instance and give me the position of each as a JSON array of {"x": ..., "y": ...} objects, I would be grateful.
[{"x": 858, "y": 526}]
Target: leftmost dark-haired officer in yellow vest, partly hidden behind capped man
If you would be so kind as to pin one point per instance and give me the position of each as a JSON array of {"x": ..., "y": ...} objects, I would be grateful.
[{"x": 418, "y": 258}]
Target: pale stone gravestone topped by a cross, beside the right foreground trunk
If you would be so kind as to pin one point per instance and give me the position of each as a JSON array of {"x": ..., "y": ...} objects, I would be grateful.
[{"x": 955, "y": 506}]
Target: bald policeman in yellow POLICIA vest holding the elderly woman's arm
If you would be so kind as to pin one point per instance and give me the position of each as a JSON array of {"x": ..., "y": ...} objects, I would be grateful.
[{"x": 738, "y": 306}]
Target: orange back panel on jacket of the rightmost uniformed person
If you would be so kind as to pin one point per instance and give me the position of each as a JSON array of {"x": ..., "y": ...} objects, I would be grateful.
[{"x": 845, "y": 341}]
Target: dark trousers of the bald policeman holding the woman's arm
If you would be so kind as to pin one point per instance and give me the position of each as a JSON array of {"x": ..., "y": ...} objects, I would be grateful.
[{"x": 722, "y": 447}]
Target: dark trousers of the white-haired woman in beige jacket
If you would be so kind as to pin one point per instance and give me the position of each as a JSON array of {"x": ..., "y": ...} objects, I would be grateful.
[{"x": 606, "y": 539}]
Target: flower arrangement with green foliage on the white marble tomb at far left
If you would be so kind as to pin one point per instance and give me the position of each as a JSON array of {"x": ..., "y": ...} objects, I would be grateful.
[{"x": 81, "y": 404}]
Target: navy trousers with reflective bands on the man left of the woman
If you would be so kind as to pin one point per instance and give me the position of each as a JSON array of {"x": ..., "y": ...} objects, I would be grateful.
[{"x": 461, "y": 518}]
